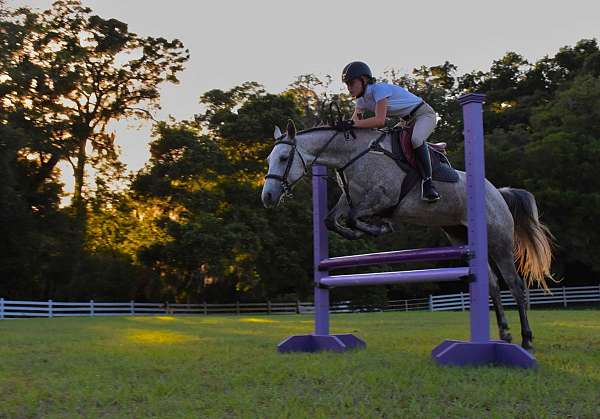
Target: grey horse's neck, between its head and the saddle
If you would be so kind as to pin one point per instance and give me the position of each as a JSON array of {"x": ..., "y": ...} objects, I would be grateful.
[{"x": 339, "y": 151}]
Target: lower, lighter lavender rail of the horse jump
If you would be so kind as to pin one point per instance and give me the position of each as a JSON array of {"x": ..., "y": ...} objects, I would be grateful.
[{"x": 404, "y": 277}]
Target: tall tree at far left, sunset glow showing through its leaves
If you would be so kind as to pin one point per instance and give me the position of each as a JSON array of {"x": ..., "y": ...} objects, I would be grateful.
[{"x": 69, "y": 73}]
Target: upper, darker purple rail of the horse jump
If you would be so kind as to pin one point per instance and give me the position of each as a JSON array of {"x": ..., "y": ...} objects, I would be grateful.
[{"x": 411, "y": 255}]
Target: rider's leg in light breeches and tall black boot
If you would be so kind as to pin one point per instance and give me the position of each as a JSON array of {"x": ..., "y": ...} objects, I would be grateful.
[{"x": 425, "y": 121}]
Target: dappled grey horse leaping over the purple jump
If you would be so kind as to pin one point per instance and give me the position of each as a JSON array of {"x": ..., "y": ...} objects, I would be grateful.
[{"x": 519, "y": 246}]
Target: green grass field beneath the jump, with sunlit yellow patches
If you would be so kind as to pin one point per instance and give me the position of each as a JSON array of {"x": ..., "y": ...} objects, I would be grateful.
[{"x": 192, "y": 367}]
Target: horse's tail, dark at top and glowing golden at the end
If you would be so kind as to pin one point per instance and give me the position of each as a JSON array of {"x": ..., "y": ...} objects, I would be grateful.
[{"x": 533, "y": 240}]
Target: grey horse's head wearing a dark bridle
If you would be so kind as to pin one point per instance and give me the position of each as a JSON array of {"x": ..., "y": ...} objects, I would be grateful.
[{"x": 286, "y": 167}]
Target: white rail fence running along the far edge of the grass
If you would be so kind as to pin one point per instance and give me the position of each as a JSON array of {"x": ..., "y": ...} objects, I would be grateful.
[{"x": 561, "y": 296}]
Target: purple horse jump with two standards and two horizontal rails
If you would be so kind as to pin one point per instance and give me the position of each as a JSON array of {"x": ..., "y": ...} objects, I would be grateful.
[{"x": 480, "y": 349}]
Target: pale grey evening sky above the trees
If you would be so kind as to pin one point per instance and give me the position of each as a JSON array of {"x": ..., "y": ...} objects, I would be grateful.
[{"x": 272, "y": 42}]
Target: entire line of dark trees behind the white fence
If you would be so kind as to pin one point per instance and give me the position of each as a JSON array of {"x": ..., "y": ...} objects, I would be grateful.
[{"x": 190, "y": 226}]
